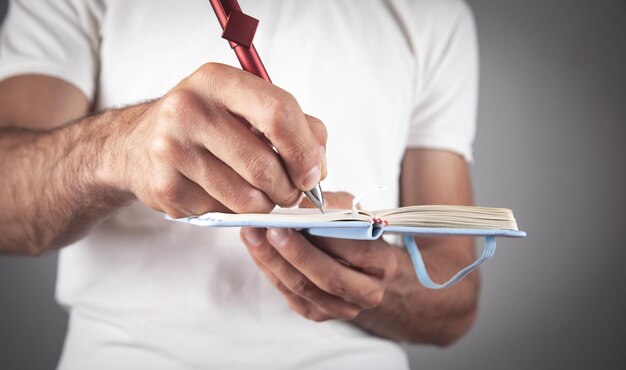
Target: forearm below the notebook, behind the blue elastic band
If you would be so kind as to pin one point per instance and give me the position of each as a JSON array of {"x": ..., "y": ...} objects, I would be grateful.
[{"x": 412, "y": 313}]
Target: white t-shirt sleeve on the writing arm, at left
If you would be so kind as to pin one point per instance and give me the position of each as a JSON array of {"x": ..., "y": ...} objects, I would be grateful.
[{"x": 58, "y": 38}]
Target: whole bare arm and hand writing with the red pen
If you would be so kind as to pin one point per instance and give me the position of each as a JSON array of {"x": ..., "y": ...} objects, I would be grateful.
[{"x": 207, "y": 145}]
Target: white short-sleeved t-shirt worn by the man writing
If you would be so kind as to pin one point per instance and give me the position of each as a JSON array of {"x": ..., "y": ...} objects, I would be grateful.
[{"x": 145, "y": 293}]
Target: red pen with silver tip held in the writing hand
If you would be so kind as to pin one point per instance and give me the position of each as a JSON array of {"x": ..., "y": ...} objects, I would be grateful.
[{"x": 239, "y": 29}]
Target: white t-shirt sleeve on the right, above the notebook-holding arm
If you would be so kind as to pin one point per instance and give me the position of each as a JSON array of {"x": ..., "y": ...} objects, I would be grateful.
[{"x": 444, "y": 109}]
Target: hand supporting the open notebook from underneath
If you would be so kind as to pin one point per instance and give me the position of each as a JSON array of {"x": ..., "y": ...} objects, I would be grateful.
[{"x": 324, "y": 278}]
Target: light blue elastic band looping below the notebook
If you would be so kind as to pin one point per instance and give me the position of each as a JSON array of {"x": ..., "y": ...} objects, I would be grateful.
[{"x": 420, "y": 268}]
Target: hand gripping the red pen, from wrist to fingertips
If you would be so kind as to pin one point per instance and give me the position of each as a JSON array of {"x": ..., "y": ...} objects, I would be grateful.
[{"x": 207, "y": 146}]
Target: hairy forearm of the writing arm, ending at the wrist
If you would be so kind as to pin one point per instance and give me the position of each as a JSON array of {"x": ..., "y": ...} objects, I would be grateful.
[{"x": 54, "y": 185}]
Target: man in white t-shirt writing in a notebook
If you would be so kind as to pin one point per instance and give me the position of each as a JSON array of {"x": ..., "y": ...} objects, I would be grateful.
[{"x": 111, "y": 115}]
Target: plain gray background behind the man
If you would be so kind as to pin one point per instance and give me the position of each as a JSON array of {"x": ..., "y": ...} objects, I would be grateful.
[{"x": 551, "y": 145}]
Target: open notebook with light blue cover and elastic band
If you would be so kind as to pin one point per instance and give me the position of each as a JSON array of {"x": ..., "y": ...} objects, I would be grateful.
[{"x": 430, "y": 220}]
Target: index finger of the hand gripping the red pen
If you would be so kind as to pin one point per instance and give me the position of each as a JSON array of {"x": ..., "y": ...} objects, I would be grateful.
[{"x": 272, "y": 111}]
